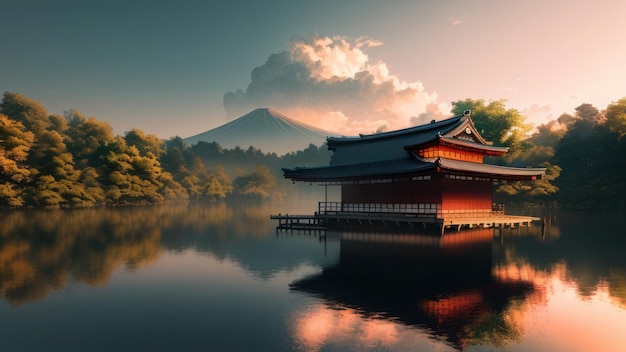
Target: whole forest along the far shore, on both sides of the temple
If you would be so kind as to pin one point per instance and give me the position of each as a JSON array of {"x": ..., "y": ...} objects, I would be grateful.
[{"x": 70, "y": 160}]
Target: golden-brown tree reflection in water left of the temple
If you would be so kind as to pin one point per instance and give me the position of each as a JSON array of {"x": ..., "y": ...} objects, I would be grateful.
[{"x": 41, "y": 249}]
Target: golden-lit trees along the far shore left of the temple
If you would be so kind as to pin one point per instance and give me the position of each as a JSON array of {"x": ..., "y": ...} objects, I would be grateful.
[{"x": 76, "y": 161}]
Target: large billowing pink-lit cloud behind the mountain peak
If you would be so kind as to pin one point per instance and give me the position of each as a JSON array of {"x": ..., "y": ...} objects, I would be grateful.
[{"x": 330, "y": 82}]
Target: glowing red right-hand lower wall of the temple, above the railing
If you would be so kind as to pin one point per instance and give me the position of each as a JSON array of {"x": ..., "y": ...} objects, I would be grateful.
[{"x": 466, "y": 196}]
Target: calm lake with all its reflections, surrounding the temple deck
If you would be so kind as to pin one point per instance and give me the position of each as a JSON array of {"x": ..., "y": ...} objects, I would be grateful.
[{"x": 219, "y": 277}]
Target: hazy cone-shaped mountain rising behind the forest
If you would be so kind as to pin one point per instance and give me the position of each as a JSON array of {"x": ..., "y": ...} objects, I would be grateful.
[{"x": 265, "y": 129}]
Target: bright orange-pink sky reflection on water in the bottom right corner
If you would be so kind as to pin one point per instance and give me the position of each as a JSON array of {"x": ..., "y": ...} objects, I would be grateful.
[{"x": 572, "y": 322}]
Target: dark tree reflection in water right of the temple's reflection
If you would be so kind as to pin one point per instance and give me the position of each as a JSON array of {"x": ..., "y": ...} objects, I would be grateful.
[{"x": 585, "y": 249}]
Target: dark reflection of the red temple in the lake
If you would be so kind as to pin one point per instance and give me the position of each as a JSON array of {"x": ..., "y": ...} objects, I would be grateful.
[{"x": 443, "y": 284}]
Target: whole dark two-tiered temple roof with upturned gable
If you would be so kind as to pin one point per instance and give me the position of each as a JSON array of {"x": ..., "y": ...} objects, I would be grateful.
[{"x": 392, "y": 154}]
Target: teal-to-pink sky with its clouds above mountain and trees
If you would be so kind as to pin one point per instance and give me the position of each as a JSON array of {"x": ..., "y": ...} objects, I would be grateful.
[{"x": 179, "y": 68}]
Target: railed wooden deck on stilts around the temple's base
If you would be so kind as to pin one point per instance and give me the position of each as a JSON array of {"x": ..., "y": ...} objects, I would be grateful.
[{"x": 321, "y": 222}]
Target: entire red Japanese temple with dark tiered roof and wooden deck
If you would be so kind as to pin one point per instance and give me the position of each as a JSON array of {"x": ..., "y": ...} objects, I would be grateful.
[{"x": 427, "y": 174}]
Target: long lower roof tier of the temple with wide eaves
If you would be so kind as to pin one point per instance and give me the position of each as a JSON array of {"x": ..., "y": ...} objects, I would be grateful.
[{"x": 409, "y": 167}]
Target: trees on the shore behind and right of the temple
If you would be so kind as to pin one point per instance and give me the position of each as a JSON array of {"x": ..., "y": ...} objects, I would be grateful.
[{"x": 584, "y": 153}]
